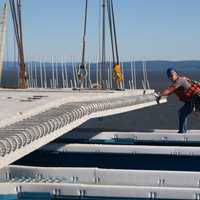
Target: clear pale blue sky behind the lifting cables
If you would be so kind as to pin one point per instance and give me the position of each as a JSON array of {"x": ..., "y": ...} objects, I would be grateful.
[{"x": 147, "y": 29}]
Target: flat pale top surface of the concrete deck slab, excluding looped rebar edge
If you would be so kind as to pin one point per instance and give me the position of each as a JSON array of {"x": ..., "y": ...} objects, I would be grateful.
[{"x": 16, "y": 105}]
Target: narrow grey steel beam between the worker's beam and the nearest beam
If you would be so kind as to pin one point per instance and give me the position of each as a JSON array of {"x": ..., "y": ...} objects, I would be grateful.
[{"x": 124, "y": 149}]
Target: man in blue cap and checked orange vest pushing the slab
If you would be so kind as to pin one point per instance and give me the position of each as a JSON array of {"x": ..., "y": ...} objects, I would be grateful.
[{"x": 187, "y": 90}]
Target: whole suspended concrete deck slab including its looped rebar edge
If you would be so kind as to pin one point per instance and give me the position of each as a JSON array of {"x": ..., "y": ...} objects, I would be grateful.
[{"x": 34, "y": 118}]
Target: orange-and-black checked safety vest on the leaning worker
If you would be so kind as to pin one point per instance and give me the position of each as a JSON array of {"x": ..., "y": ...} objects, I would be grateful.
[{"x": 186, "y": 95}]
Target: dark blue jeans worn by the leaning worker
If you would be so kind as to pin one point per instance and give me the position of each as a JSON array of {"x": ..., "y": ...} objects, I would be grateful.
[{"x": 183, "y": 116}]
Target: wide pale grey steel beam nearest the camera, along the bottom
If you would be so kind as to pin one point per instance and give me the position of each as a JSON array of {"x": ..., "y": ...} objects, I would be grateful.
[{"x": 92, "y": 182}]
